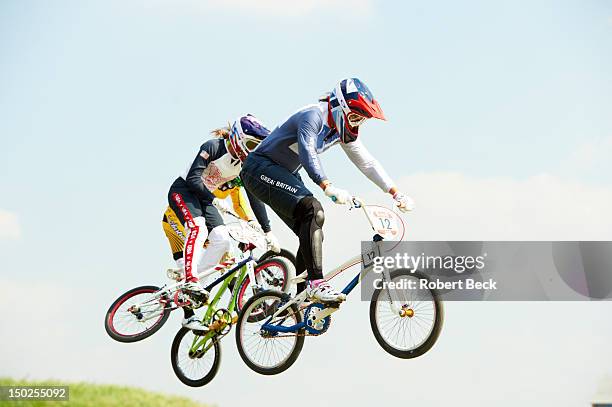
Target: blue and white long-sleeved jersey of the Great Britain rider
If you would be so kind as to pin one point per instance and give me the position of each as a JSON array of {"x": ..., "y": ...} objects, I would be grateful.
[{"x": 300, "y": 140}]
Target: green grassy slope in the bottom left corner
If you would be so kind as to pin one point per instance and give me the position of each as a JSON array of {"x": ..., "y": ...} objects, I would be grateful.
[{"x": 94, "y": 395}]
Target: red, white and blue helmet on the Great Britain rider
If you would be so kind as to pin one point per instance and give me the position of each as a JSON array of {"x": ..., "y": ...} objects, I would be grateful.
[{"x": 351, "y": 103}]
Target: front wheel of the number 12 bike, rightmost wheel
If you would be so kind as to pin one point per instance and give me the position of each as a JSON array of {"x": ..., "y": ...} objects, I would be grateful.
[{"x": 411, "y": 325}]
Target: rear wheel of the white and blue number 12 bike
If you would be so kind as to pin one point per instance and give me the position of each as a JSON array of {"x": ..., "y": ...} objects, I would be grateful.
[{"x": 265, "y": 352}]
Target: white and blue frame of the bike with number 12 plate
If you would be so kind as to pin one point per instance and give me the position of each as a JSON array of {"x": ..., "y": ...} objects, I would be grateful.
[{"x": 328, "y": 310}]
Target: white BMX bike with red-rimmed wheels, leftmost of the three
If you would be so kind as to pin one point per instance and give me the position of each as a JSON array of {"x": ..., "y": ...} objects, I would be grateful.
[{"x": 142, "y": 311}]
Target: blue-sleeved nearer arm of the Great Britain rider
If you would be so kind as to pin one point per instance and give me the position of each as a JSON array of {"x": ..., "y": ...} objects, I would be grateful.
[{"x": 308, "y": 129}]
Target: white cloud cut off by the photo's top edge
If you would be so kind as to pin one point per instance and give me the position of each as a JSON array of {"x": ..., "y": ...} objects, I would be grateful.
[{"x": 280, "y": 8}]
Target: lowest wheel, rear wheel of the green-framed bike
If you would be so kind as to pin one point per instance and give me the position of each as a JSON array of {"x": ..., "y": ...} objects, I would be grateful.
[{"x": 197, "y": 368}]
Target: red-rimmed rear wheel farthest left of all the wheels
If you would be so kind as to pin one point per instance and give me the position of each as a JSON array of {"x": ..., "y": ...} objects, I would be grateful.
[{"x": 137, "y": 314}]
